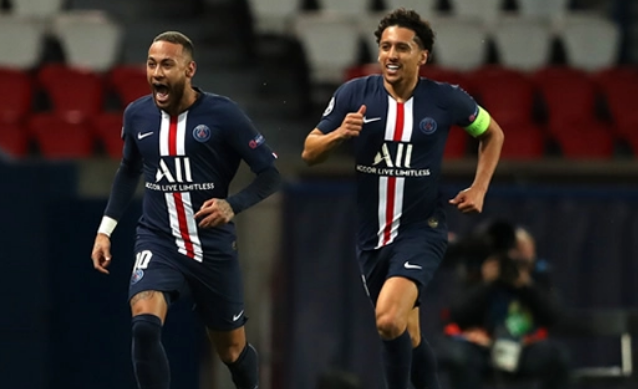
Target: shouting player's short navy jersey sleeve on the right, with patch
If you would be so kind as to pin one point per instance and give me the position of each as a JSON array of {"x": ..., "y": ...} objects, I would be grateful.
[{"x": 244, "y": 137}]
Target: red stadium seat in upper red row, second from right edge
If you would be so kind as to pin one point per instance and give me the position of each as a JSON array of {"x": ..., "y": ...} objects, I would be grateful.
[{"x": 569, "y": 94}]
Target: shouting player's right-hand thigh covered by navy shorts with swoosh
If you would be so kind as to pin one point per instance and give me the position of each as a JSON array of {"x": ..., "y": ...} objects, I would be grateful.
[{"x": 218, "y": 292}]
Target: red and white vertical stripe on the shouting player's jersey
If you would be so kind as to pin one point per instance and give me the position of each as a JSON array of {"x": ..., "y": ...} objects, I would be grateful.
[{"x": 180, "y": 207}]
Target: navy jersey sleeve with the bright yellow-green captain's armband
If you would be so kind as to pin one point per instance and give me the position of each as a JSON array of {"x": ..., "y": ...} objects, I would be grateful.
[{"x": 467, "y": 113}]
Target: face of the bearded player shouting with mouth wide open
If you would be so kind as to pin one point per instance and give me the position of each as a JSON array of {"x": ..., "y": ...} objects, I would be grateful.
[{"x": 167, "y": 71}]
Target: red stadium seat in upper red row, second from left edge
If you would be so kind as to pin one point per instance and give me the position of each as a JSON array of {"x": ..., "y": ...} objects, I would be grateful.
[{"x": 75, "y": 94}]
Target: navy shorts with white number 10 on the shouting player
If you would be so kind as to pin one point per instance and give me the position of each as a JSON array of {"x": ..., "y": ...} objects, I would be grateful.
[{"x": 215, "y": 284}]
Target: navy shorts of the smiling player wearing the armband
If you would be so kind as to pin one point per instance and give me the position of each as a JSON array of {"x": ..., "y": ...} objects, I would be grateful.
[{"x": 415, "y": 256}]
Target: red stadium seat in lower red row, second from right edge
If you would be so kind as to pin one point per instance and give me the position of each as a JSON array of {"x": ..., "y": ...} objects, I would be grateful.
[{"x": 585, "y": 140}]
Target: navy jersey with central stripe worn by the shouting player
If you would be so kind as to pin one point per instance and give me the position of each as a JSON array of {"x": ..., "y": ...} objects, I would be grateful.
[{"x": 186, "y": 160}]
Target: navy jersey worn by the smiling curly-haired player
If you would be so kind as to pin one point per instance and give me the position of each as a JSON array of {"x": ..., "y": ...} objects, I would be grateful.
[{"x": 399, "y": 151}]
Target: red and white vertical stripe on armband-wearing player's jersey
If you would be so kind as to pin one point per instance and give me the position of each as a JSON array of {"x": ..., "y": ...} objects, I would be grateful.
[{"x": 398, "y": 128}]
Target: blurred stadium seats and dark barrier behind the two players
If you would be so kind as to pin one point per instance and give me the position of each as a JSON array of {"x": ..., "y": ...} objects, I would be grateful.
[{"x": 559, "y": 75}]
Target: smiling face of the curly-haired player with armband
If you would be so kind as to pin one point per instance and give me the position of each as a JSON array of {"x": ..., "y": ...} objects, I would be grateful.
[{"x": 399, "y": 55}]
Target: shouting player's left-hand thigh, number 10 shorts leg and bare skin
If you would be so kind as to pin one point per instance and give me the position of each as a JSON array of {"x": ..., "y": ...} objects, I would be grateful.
[{"x": 155, "y": 276}]
